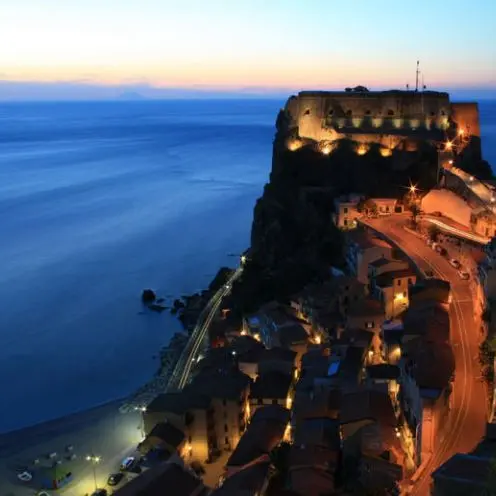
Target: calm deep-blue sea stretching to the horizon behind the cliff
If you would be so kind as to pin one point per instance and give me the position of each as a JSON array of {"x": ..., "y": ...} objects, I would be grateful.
[{"x": 100, "y": 200}]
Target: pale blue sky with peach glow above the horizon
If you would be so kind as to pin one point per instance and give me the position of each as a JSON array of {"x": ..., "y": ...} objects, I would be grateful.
[{"x": 244, "y": 45}]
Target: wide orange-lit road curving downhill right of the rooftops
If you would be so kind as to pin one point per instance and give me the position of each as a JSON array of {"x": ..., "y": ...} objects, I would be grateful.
[{"x": 468, "y": 415}]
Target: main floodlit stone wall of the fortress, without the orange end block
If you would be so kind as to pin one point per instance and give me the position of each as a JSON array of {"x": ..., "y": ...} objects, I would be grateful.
[{"x": 317, "y": 114}]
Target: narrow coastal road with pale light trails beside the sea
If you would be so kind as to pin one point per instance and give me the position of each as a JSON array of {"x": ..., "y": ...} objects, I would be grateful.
[{"x": 189, "y": 356}]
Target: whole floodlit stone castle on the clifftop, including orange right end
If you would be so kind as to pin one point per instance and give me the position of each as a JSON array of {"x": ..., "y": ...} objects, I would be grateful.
[{"x": 395, "y": 119}]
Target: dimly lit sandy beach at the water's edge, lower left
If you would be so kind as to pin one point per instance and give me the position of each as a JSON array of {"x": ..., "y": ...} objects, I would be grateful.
[{"x": 101, "y": 430}]
